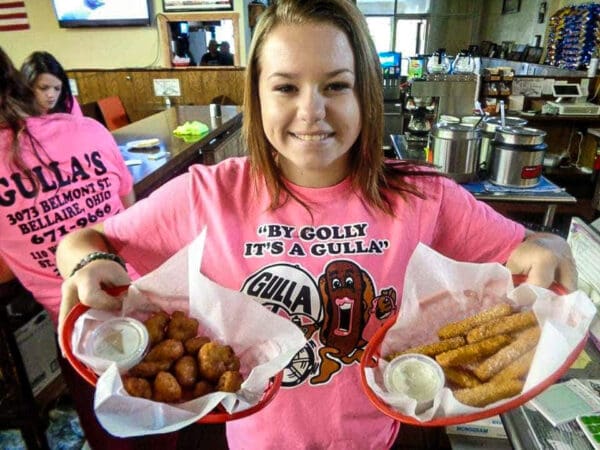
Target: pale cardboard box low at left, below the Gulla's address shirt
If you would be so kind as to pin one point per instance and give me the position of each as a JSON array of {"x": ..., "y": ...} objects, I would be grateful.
[{"x": 37, "y": 345}]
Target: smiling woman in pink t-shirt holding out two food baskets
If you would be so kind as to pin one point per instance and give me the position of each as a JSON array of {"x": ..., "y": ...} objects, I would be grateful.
[{"x": 315, "y": 207}]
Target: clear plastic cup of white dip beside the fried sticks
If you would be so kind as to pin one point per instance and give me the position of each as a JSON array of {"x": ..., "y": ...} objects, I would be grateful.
[{"x": 417, "y": 376}]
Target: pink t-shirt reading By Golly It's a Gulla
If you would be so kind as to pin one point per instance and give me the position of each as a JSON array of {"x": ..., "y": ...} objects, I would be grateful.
[{"x": 326, "y": 272}]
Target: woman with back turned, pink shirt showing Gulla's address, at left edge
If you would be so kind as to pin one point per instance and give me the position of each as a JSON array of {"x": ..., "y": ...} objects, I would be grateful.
[{"x": 58, "y": 172}]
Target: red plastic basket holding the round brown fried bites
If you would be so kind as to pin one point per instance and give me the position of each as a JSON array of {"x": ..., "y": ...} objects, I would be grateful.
[{"x": 219, "y": 415}]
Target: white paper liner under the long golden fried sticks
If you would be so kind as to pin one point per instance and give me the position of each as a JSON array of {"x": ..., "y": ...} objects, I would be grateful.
[{"x": 438, "y": 290}]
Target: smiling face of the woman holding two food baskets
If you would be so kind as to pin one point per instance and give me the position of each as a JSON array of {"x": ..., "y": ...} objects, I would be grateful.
[{"x": 309, "y": 105}]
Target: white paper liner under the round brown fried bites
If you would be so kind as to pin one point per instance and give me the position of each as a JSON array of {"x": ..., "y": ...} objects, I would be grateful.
[{"x": 264, "y": 342}]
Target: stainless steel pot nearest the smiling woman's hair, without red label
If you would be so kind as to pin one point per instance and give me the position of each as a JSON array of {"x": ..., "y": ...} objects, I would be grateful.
[{"x": 456, "y": 150}]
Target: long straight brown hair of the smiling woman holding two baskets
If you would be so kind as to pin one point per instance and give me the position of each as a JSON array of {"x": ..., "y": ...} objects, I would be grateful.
[{"x": 368, "y": 171}]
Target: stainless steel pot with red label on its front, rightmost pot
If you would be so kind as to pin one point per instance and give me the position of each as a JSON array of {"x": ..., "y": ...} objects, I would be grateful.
[{"x": 517, "y": 157}]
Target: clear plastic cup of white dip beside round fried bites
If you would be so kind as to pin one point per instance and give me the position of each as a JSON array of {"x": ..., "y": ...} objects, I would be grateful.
[{"x": 121, "y": 340}]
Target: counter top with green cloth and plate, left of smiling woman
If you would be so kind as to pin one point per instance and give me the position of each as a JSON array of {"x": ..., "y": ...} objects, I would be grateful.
[{"x": 152, "y": 167}]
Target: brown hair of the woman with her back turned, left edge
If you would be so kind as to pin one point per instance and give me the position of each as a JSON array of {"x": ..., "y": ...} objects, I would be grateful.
[{"x": 17, "y": 102}]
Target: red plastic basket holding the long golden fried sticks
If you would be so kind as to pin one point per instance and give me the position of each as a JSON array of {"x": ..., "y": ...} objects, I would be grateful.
[{"x": 371, "y": 358}]
